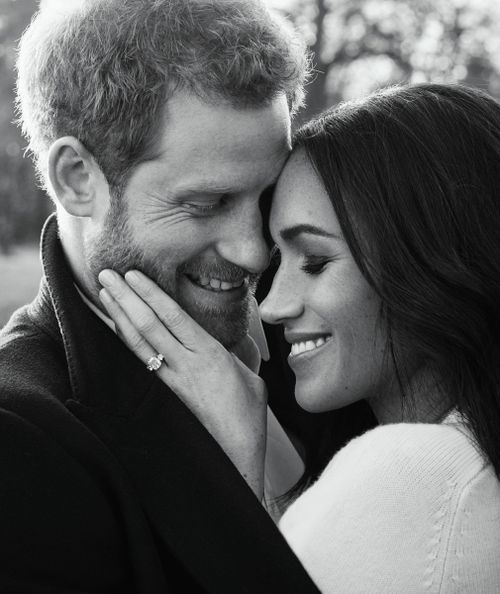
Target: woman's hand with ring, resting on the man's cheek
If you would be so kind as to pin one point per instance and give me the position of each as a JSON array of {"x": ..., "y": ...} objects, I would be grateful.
[{"x": 226, "y": 396}]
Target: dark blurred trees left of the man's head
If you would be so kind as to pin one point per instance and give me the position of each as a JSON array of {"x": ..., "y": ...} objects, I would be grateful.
[{"x": 23, "y": 206}]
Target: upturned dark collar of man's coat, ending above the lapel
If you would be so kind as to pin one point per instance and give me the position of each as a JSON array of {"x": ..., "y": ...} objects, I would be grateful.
[{"x": 101, "y": 368}]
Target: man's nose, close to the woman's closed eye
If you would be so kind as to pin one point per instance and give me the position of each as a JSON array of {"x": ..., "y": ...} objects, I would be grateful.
[{"x": 243, "y": 242}]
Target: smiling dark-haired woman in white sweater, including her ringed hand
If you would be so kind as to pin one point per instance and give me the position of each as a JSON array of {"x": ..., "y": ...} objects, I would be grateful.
[{"x": 387, "y": 217}]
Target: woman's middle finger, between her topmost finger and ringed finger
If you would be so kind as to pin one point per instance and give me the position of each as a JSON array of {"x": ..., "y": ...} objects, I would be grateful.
[{"x": 141, "y": 317}]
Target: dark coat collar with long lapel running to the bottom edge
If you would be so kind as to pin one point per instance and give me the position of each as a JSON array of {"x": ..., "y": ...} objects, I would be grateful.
[{"x": 198, "y": 505}]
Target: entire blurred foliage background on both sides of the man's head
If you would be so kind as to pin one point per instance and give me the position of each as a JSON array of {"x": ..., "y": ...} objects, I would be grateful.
[{"x": 358, "y": 46}]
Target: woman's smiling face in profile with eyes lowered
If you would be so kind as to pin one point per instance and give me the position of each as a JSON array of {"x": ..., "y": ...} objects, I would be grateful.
[{"x": 329, "y": 312}]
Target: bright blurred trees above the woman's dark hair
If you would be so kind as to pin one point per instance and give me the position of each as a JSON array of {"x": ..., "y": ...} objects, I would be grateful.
[{"x": 361, "y": 45}]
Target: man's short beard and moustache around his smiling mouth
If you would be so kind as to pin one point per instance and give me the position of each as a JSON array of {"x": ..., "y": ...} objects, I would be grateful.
[{"x": 116, "y": 249}]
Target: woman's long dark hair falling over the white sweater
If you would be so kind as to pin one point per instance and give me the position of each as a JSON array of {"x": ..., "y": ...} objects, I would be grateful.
[{"x": 413, "y": 173}]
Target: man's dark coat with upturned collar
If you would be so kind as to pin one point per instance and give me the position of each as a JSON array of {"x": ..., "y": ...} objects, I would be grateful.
[{"x": 107, "y": 482}]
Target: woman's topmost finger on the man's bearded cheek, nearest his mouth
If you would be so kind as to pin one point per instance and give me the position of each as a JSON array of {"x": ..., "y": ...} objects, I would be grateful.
[{"x": 179, "y": 323}]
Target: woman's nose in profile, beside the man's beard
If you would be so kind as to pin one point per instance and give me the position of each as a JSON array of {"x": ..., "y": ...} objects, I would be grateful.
[{"x": 283, "y": 302}]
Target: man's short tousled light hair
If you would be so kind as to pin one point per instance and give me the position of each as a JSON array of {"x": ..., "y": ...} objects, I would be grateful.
[{"x": 103, "y": 71}]
